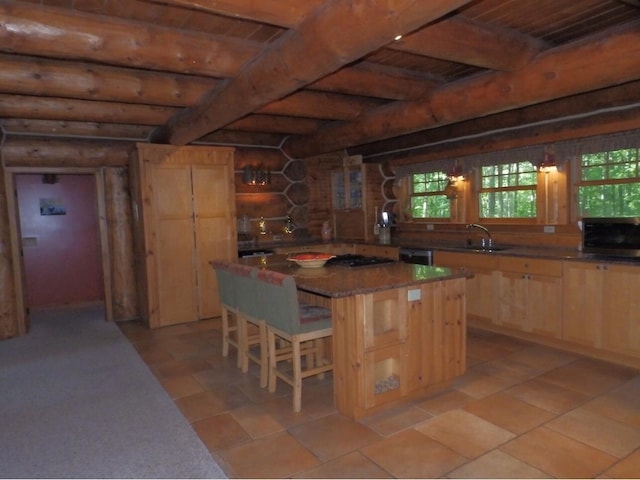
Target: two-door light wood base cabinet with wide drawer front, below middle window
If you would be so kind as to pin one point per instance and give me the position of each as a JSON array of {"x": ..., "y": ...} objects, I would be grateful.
[{"x": 529, "y": 295}]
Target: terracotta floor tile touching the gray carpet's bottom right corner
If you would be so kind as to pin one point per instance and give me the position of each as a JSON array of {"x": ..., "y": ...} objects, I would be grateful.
[{"x": 276, "y": 456}]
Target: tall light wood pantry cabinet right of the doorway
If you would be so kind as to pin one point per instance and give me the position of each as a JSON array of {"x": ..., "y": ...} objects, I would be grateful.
[{"x": 184, "y": 217}]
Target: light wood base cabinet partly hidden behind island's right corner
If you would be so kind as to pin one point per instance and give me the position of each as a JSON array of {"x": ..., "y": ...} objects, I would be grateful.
[{"x": 480, "y": 289}]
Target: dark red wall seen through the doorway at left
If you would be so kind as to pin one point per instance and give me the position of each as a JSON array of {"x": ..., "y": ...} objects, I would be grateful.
[{"x": 61, "y": 252}]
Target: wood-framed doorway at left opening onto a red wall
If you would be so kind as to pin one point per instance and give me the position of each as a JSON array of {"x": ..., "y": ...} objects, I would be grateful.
[{"x": 56, "y": 200}]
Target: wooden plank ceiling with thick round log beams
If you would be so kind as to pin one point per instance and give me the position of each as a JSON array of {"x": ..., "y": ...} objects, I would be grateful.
[{"x": 310, "y": 76}]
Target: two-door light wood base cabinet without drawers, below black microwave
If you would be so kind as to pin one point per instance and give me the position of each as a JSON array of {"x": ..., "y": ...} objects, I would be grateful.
[{"x": 601, "y": 306}]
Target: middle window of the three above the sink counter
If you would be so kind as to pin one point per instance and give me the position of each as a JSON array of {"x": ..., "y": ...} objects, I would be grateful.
[{"x": 508, "y": 191}]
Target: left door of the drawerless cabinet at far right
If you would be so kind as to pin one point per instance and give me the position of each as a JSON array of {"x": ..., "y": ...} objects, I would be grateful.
[{"x": 583, "y": 284}]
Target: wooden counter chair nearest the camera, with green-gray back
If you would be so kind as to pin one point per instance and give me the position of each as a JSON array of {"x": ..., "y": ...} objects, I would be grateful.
[{"x": 303, "y": 328}]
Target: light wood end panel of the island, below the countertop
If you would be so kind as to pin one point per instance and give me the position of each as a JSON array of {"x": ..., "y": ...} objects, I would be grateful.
[{"x": 407, "y": 342}]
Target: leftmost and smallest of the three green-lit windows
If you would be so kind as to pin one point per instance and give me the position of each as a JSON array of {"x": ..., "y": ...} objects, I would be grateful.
[{"x": 428, "y": 198}]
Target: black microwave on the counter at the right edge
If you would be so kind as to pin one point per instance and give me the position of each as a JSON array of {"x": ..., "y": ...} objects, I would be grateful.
[{"x": 611, "y": 236}]
